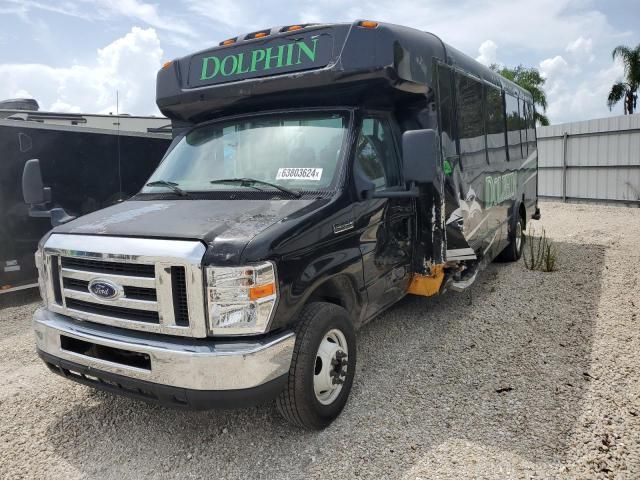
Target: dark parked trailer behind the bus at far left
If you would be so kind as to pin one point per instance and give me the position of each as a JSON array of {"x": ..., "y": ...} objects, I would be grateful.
[{"x": 86, "y": 161}]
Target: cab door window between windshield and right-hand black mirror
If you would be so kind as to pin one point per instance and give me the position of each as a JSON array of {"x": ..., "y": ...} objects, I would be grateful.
[{"x": 376, "y": 153}]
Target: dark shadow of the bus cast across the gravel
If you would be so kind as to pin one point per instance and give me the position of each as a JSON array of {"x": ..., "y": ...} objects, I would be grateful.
[{"x": 503, "y": 366}]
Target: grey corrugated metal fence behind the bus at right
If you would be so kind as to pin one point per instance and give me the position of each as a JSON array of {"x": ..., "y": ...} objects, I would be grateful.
[{"x": 592, "y": 161}]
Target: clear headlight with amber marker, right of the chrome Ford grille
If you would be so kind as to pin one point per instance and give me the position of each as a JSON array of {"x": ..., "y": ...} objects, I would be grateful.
[{"x": 241, "y": 300}]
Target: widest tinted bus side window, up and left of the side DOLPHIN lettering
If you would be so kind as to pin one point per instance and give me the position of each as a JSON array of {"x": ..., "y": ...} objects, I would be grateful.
[{"x": 469, "y": 94}]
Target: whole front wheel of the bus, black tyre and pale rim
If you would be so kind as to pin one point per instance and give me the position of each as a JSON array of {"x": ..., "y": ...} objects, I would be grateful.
[{"x": 322, "y": 368}]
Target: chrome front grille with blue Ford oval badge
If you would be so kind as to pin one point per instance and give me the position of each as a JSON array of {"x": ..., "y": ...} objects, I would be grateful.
[{"x": 151, "y": 285}]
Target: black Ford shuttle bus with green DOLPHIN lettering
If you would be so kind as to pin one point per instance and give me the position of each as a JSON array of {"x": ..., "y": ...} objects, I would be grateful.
[{"x": 318, "y": 174}]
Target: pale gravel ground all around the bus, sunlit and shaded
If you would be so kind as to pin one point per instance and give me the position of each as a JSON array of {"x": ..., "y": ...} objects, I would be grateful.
[{"x": 527, "y": 375}]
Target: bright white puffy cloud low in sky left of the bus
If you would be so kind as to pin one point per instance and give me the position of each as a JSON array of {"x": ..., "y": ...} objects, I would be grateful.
[{"x": 128, "y": 65}]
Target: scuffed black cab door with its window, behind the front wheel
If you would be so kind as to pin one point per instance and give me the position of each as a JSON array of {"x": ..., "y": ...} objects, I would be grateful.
[{"x": 385, "y": 243}]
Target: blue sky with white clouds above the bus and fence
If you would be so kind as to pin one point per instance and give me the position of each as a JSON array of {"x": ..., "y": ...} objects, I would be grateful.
[{"x": 72, "y": 56}]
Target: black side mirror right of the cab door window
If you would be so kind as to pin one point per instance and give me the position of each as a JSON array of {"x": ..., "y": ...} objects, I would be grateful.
[{"x": 420, "y": 156}]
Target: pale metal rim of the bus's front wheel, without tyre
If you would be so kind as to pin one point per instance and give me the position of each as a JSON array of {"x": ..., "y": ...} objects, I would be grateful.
[{"x": 330, "y": 369}]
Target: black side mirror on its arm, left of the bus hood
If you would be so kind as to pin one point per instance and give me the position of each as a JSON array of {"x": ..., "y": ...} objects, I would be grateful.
[{"x": 36, "y": 195}]
